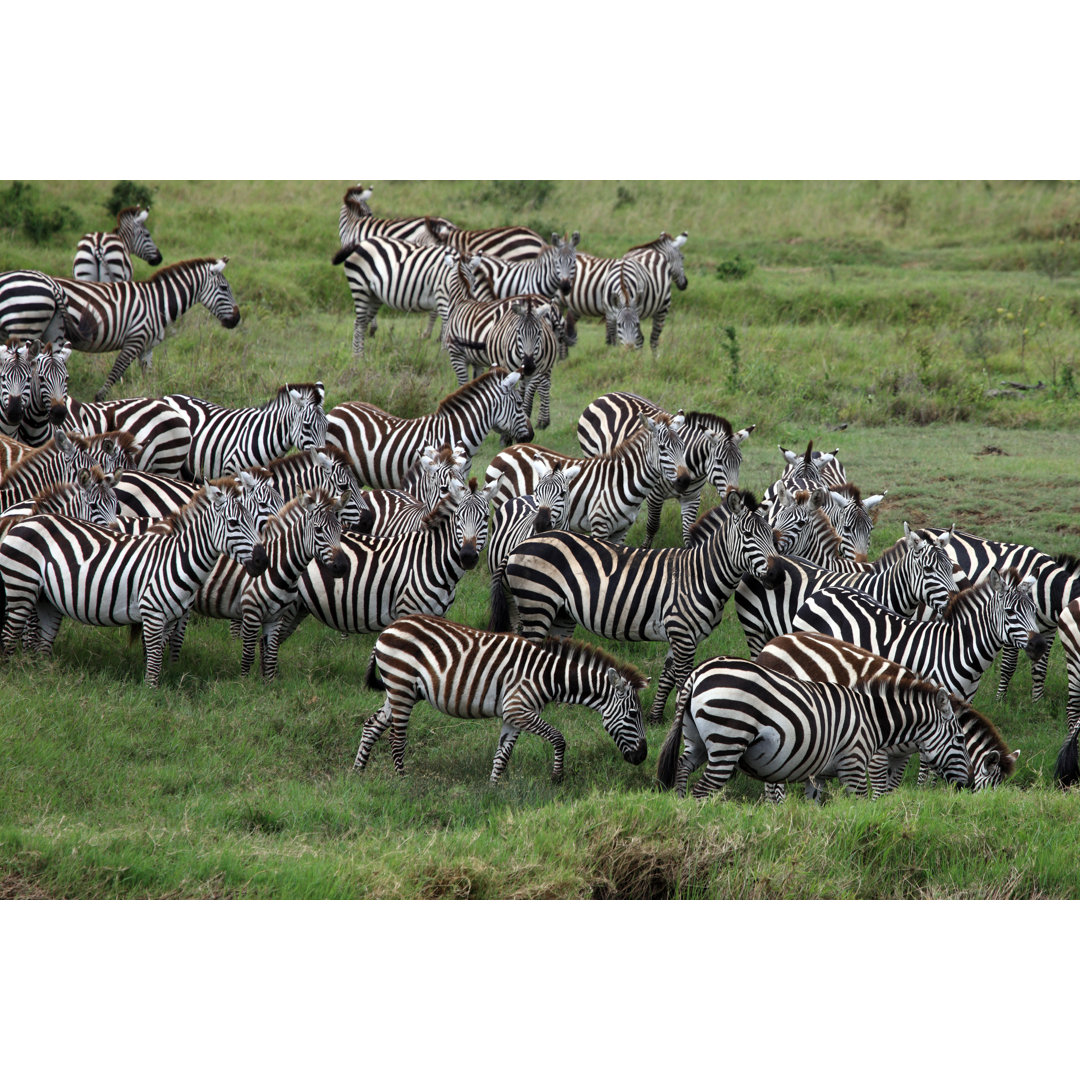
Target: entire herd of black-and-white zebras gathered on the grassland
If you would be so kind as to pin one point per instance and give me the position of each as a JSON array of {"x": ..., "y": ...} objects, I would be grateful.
[{"x": 142, "y": 511}]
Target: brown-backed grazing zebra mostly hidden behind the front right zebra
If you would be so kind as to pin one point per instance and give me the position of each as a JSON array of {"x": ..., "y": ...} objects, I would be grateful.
[{"x": 818, "y": 659}]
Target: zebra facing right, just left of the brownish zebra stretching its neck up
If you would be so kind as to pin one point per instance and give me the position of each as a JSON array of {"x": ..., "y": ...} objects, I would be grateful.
[{"x": 225, "y": 440}]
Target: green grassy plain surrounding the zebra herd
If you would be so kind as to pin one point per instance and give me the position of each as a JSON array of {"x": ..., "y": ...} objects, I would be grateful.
[{"x": 898, "y": 322}]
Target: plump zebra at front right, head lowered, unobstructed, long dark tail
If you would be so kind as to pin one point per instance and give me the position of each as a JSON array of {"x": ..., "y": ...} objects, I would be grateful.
[{"x": 736, "y": 714}]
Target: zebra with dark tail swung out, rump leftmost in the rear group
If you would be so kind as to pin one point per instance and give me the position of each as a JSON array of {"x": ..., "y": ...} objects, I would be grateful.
[{"x": 402, "y": 276}]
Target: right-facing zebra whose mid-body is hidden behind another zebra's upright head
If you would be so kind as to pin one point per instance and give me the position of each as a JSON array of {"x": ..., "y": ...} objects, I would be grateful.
[{"x": 609, "y": 491}]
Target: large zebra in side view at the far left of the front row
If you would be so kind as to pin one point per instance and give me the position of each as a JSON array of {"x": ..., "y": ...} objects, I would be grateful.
[{"x": 100, "y": 577}]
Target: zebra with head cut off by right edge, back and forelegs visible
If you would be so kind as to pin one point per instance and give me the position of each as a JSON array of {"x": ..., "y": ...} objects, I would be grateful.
[{"x": 1057, "y": 586}]
